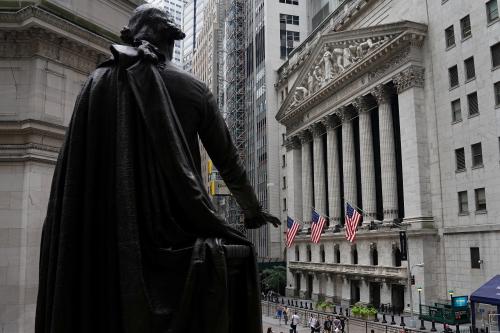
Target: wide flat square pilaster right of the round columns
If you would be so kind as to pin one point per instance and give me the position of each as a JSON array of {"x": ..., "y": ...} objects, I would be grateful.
[{"x": 414, "y": 144}]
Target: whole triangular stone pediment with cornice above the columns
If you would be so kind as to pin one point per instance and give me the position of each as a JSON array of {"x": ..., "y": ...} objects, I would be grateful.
[{"x": 340, "y": 57}]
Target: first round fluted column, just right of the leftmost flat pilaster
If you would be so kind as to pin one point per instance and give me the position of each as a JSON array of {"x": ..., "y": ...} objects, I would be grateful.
[{"x": 307, "y": 184}]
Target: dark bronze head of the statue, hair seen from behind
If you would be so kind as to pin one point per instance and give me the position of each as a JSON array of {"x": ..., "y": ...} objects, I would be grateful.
[{"x": 152, "y": 23}]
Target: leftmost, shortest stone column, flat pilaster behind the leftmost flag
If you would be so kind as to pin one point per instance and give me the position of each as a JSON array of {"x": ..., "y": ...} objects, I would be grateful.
[{"x": 294, "y": 177}]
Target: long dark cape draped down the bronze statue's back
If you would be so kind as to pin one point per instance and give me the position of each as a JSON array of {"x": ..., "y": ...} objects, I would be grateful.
[{"x": 125, "y": 163}]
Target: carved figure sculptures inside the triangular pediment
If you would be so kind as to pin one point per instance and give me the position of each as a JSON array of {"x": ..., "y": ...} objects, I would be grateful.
[{"x": 332, "y": 61}]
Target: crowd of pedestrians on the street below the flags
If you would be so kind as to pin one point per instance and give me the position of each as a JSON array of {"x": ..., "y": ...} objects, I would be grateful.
[{"x": 330, "y": 325}]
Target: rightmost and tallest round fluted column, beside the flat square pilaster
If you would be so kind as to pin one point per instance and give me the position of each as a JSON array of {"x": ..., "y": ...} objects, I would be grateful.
[{"x": 387, "y": 153}]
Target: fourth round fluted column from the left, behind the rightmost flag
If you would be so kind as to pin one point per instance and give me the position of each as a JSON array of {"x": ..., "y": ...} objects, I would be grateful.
[{"x": 348, "y": 157}]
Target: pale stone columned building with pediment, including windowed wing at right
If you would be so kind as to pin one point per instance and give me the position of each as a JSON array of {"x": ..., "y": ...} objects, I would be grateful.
[{"x": 392, "y": 107}]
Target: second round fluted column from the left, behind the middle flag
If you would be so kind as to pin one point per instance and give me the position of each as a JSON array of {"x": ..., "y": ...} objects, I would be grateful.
[{"x": 319, "y": 169}]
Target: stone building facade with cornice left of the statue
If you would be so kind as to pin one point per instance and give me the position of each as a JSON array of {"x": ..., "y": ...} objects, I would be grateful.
[{"x": 47, "y": 50}]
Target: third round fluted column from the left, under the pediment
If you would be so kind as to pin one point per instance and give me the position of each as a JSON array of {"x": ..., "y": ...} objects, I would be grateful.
[{"x": 333, "y": 169}]
